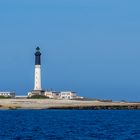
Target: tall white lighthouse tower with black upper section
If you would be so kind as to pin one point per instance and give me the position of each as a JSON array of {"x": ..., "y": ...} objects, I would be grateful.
[{"x": 37, "y": 79}]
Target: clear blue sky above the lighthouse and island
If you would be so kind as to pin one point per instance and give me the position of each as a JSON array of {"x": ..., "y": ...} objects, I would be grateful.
[{"x": 88, "y": 46}]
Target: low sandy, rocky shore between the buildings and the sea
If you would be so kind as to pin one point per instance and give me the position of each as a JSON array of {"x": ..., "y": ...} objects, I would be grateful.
[{"x": 66, "y": 104}]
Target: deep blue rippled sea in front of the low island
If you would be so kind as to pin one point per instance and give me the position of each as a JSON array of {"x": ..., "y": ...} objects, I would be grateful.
[{"x": 69, "y": 125}]
